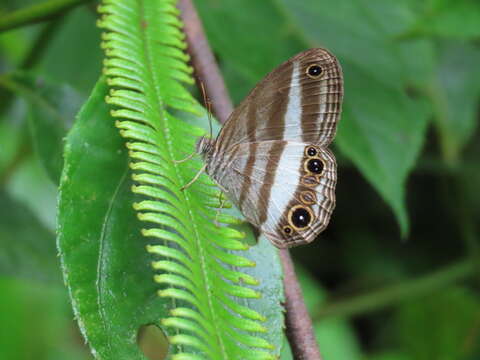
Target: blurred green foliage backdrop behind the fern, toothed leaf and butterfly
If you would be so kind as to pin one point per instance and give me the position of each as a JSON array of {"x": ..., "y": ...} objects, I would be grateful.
[{"x": 407, "y": 146}]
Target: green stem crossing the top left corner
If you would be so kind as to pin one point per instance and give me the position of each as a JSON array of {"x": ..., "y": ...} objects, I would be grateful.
[{"x": 37, "y": 13}]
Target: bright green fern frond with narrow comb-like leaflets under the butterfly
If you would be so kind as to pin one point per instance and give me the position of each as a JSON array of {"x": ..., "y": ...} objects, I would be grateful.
[{"x": 199, "y": 265}]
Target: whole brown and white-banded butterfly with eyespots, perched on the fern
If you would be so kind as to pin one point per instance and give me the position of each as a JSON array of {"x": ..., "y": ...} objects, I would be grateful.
[{"x": 271, "y": 157}]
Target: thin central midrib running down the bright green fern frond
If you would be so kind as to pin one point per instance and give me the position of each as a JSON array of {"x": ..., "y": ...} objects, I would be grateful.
[{"x": 169, "y": 142}]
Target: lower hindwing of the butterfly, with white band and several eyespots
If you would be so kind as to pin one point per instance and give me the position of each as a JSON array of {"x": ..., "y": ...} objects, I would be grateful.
[{"x": 285, "y": 189}]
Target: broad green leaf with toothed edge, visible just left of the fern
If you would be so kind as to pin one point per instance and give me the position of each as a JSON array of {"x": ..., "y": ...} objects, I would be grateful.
[{"x": 104, "y": 261}]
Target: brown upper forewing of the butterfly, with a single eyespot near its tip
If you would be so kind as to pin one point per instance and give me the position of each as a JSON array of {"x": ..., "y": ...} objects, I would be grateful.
[{"x": 298, "y": 101}]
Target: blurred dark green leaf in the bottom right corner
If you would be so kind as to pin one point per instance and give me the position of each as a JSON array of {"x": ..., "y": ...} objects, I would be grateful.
[{"x": 445, "y": 322}]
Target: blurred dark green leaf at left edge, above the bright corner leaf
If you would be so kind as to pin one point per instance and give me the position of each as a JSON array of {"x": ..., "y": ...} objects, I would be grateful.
[{"x": 27, "y": 248}]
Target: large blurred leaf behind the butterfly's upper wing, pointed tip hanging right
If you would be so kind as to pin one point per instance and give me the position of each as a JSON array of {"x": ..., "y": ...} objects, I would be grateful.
[{"x": 382, "y": 130}]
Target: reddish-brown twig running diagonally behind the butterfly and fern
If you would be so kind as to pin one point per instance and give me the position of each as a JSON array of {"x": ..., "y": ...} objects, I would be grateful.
[{"x": 299, "y": 326}]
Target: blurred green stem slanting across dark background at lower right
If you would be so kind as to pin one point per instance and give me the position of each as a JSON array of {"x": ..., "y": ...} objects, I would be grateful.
[{"x": 400, "y": 292}]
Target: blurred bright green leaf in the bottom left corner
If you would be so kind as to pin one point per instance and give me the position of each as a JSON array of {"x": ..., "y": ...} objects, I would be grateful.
[{"x": 37, "y": 322}]
